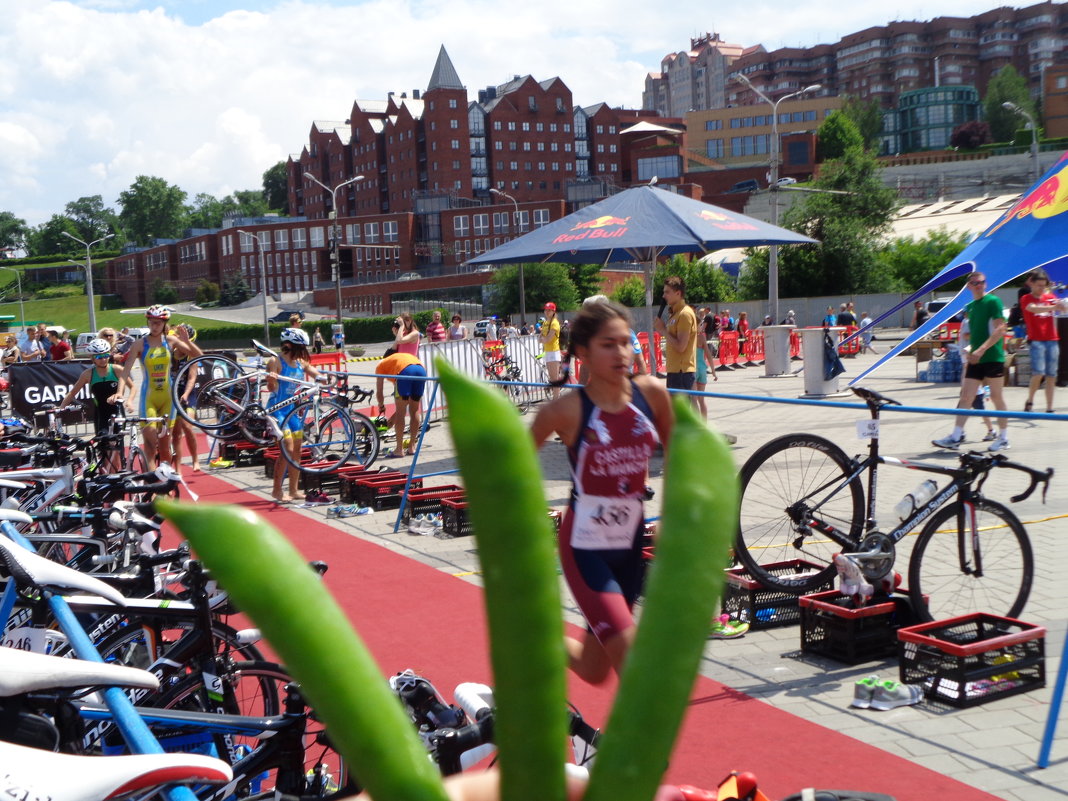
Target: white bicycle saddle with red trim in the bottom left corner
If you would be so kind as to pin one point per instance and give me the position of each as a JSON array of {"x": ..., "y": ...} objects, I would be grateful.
[{"x": 37, "y": 774}]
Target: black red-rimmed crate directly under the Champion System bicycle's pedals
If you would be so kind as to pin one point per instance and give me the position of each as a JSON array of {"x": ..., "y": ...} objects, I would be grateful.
[{"x": 833, "y": 627}]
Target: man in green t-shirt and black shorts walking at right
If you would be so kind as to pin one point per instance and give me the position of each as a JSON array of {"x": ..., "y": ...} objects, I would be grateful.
[{"x": 986, "y": 362}]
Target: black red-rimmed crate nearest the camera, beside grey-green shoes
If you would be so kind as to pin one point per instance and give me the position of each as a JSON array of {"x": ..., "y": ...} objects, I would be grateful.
[{"x": 969, "y": 661}]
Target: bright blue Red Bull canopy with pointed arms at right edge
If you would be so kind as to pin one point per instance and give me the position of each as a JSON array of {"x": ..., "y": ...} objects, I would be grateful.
[{"x": 1033, "y": 233}]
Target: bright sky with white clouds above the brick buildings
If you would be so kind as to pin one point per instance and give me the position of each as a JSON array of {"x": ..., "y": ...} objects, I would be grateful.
[{"x": 208, "y": 95}]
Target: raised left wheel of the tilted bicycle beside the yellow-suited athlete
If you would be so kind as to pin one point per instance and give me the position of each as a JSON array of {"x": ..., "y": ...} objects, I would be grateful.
[{"x": 221, "y": 395}]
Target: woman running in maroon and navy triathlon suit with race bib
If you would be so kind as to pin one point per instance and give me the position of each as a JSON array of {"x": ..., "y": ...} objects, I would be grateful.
[{"x": 611, "y": 428}]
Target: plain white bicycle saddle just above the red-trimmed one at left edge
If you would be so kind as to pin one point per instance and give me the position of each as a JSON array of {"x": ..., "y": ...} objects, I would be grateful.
[{"x": 24, "y": 671}]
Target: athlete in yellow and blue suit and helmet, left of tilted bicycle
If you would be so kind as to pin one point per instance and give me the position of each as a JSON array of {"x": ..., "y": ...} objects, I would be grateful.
[{"x": 154, "y": 354}]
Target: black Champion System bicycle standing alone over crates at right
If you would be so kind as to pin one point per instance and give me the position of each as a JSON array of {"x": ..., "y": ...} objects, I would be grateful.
[{"x": 804, "y": 502}]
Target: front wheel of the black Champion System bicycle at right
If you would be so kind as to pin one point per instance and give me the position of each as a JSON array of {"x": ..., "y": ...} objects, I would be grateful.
[{"x": 971, "y": 558}]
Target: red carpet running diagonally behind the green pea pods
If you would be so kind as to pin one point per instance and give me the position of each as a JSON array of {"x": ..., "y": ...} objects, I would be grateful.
[{"x": 414, "y": 617}]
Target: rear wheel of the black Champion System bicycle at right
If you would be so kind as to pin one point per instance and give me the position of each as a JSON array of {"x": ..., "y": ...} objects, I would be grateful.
[{"x": 786, "y": 485}]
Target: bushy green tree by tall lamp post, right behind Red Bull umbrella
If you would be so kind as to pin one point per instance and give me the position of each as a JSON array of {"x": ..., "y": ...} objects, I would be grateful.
[{"x": 850, "y": 228}]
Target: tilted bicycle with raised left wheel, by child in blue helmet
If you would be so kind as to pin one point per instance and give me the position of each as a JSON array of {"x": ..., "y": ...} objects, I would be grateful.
[{"x": 228, "y": 397}]
